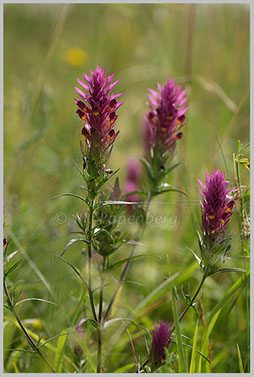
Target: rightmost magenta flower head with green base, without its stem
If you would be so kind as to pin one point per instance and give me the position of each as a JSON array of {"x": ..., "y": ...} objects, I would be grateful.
[{"x": 217, "y": 208}]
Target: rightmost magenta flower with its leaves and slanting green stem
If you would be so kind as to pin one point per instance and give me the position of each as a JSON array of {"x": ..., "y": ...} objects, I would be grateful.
[{"x": 216, "y": 210}]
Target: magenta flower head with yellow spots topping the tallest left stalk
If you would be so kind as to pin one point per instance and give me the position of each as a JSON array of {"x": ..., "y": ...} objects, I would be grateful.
[{"x": 97, "y": 110}]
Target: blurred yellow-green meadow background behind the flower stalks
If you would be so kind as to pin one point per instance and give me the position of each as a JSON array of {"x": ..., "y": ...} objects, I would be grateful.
[{"x": 46, "y": 47}]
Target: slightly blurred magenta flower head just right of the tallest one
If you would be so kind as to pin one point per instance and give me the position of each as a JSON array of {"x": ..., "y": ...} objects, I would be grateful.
[{"x": 165, "y": 119}]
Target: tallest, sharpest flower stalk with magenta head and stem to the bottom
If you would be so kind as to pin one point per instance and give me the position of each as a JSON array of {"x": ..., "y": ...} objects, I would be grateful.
[{"x": 97, "y": 110}]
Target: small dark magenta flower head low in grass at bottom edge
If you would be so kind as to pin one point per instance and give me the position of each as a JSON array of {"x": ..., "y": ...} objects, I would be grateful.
[{"x": 160, "y": 340}]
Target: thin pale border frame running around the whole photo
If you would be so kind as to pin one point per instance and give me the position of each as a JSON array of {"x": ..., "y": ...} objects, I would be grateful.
[{"x": 251, "y": 3}]
